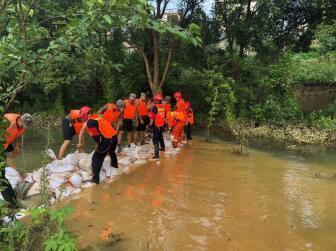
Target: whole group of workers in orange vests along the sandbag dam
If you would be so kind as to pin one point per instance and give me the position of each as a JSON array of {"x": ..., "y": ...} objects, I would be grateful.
[{"x": 135, "y": 117}]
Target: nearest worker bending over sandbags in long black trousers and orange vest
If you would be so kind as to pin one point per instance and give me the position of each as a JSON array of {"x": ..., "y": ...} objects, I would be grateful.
[{"x": 106, "y": 138}]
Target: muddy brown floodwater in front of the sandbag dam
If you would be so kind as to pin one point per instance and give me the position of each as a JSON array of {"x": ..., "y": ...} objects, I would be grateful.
[{"x": 207, "y": 198}]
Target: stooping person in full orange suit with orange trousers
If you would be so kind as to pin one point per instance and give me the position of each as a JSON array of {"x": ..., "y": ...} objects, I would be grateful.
[{"x": 176, "y": 127}]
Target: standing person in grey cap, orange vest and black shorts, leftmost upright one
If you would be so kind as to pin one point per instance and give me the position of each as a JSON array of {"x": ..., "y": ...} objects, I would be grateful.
[{"x": 130, "y": 115}]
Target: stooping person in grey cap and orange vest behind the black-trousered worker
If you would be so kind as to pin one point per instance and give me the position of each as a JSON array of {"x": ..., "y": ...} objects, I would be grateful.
[{"x": 112, "y": 113}]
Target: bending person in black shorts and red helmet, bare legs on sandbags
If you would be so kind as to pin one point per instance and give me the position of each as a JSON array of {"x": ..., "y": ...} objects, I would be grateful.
[{"x": 72, "y": 125}]
